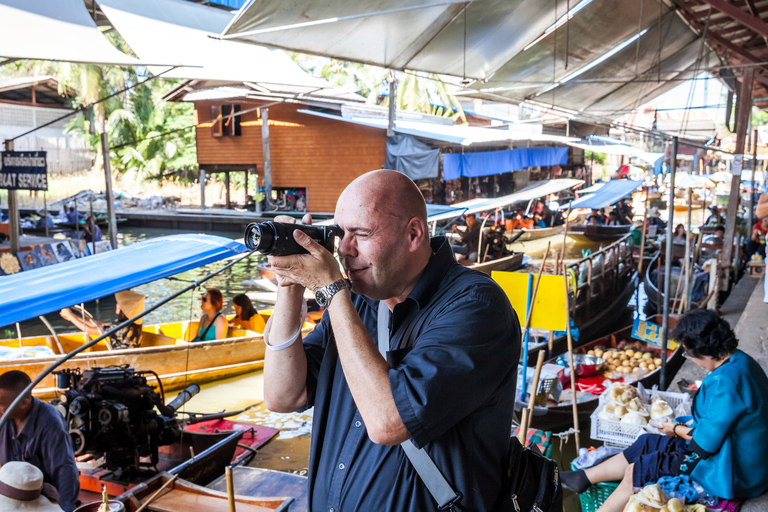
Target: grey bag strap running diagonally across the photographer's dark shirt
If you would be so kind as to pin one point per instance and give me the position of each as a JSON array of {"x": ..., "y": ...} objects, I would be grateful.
[{"x": 436, "y": 483}]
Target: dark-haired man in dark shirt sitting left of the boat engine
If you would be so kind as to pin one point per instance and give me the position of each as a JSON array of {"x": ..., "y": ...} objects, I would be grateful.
[{"x": 36, "y": 433}]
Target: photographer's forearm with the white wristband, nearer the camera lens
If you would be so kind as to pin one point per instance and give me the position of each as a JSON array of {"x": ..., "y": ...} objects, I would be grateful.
[{"x": 285, "y": 371}]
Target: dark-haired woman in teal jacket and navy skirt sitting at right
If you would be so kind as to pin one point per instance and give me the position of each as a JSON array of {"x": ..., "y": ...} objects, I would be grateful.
[{"x": 724, "y": 450}]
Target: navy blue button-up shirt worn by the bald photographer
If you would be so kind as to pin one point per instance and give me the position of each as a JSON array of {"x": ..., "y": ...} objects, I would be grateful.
[{"x": 454, "y": 348}]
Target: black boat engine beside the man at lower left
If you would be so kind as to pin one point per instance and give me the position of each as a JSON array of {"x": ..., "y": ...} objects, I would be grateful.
[{"x": 115, "y": 414}]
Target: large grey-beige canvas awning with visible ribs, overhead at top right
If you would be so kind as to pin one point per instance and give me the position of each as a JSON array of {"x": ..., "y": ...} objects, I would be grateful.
[{"x": 611, "y": 55}]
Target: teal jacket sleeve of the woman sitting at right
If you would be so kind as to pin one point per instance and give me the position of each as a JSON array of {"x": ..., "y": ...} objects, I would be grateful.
[{"x": 718, "y": 412}]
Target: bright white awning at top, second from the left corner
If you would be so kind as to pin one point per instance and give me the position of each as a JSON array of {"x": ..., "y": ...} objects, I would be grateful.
[{"x": 181, "y": 31}]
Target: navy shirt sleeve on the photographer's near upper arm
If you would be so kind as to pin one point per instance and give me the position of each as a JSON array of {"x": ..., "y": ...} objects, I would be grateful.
[{"x": 457, "y": 362}]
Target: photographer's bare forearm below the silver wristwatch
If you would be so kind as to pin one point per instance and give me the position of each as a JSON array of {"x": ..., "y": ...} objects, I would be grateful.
[{"x": 366, "y": 373}]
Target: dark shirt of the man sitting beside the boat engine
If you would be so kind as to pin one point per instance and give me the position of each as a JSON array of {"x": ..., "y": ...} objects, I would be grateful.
[{"x": 45, "y": 443}]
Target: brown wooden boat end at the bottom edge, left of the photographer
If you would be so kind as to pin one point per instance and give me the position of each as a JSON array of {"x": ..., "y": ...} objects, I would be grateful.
[{"x": 184, "y": 496}]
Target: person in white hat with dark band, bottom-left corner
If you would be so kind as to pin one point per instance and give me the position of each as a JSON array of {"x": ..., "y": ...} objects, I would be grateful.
[{"x": 22, "y": 489}]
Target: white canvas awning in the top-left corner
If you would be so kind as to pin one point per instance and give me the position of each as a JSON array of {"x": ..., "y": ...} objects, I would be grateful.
[{"x": 58, "y": 30}]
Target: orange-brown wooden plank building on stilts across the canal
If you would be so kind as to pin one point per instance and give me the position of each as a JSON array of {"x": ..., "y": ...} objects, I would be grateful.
[{"x": 311, "y": 157}]
